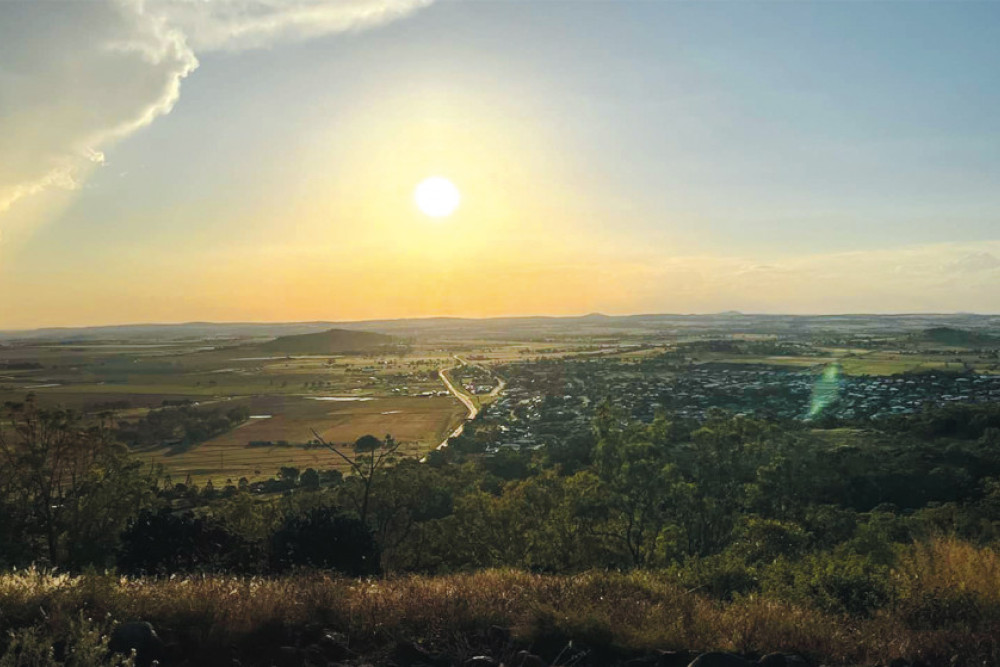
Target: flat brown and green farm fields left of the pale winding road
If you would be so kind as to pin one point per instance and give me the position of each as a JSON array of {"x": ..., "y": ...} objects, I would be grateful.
[{"x": 288, "y": 397}]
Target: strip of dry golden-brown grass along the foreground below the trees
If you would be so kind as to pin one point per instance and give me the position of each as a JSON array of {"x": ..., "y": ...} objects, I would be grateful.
[{"x": 949, "y": 597}]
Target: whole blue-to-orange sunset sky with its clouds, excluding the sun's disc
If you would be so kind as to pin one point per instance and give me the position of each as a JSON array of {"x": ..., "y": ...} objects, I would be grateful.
[{"x": 254, "y": 160}]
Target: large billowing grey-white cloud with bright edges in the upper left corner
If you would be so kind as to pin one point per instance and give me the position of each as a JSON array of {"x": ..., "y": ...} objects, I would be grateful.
[{"x": 75, "y": 77}]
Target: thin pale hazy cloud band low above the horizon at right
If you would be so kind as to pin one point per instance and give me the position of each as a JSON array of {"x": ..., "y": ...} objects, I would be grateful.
[{"x": 935, "y": 277}]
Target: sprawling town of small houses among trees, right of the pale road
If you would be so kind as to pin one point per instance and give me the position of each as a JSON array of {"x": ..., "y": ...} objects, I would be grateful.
[{"x": 554, "y": 400}]
